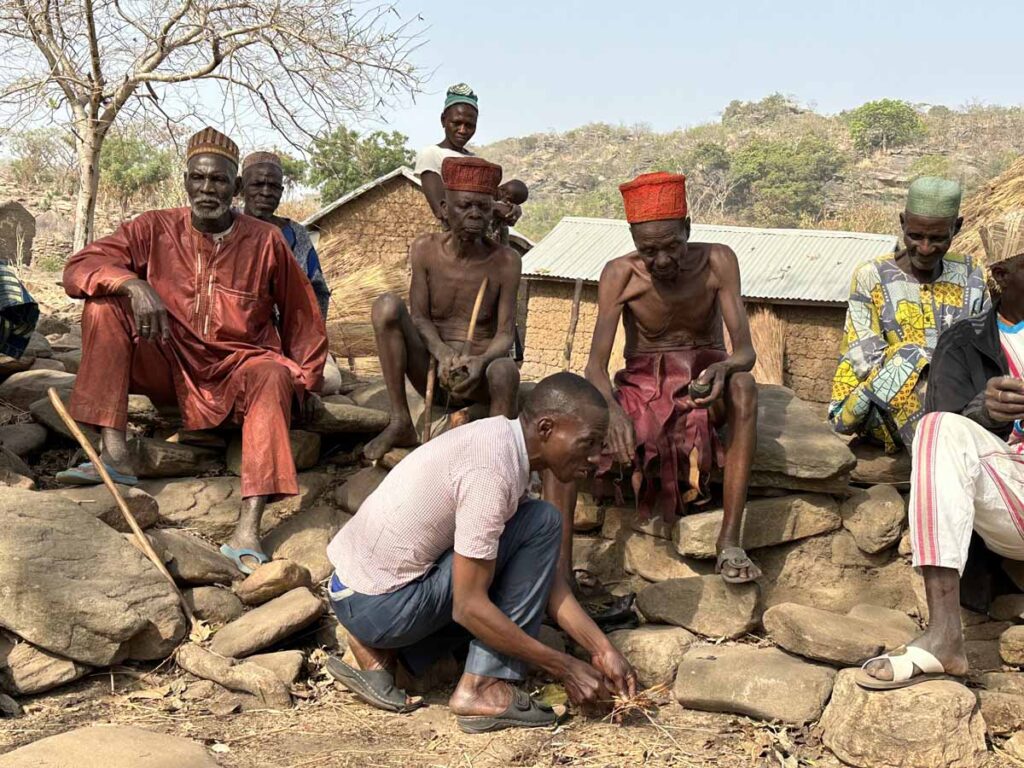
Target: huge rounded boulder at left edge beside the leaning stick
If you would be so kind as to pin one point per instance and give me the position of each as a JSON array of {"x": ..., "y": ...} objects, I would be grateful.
[{"x": 82, "y": 591}]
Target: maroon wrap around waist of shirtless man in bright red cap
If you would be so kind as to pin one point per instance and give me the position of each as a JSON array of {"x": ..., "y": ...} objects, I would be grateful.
[{"x": 654, "y": 391}]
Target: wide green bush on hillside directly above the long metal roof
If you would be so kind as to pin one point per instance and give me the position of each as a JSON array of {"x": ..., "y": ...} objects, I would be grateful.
[{"x": 783, "y": 183}]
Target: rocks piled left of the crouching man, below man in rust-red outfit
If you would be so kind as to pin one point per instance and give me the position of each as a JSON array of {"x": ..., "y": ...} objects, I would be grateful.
[{"x": 80, "y": 594}]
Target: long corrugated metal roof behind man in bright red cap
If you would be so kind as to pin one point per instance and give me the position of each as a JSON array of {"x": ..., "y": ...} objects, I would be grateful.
[{"x": 780, "y": 265}]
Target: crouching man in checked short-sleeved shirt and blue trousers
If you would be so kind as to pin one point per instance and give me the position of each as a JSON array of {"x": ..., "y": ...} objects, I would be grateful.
[{"x": 448, "y": 546}]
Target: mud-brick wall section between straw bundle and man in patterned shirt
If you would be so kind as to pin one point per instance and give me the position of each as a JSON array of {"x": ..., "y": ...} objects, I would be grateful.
[{"x": 813, "y": 340}]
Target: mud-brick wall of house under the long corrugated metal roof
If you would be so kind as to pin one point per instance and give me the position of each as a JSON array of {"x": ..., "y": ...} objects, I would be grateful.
[{"x": 813, "y": 338}]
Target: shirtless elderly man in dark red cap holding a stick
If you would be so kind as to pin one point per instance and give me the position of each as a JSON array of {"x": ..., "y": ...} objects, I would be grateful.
[{"x": 448, "y": 271}]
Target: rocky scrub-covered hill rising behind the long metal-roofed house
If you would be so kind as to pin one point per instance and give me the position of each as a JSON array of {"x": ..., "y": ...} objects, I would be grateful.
[{"x": 810, "y": 165}]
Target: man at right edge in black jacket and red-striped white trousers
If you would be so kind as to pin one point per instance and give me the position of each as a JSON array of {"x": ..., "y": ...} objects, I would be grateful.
[{"x": 968, "y": 462}]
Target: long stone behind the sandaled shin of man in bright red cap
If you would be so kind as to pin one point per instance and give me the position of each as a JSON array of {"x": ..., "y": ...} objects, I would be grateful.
[{"x": 766, "y": 523}]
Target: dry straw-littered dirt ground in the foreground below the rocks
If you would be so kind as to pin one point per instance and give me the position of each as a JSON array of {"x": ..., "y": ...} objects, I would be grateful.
[{"x": 330, "y": 730}]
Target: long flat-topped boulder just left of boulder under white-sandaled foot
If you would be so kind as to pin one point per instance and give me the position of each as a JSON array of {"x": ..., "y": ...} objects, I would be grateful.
[{"x": 763, "y": 684}]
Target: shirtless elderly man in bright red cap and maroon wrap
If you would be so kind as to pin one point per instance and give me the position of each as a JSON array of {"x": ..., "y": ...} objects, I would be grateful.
[{"x": 679, "y": 386}]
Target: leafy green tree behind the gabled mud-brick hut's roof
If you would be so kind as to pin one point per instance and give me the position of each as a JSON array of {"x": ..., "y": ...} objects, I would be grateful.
[{"x": 344, "y": 161}]
